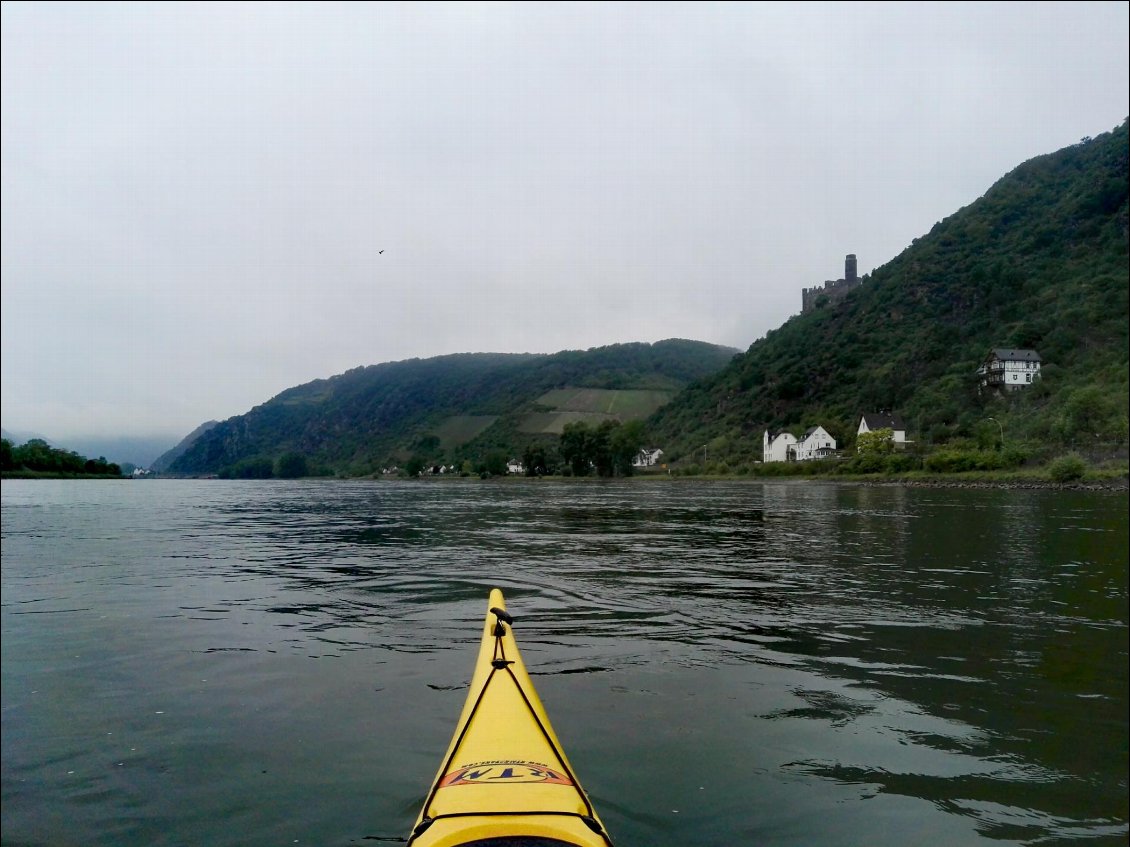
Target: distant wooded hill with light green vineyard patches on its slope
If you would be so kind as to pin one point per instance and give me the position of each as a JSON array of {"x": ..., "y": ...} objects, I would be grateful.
[{"x": 451, "y": 408}]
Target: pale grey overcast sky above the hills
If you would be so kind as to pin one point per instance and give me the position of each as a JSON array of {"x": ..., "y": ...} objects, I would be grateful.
[{"x": 205, "y": 205}]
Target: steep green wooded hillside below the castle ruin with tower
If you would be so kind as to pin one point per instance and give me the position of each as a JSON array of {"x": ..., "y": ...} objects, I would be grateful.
[{"x": 1040, "y": 261}]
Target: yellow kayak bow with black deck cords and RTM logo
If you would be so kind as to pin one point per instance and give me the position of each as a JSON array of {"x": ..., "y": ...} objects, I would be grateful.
[{"x": 506, "y": 774}]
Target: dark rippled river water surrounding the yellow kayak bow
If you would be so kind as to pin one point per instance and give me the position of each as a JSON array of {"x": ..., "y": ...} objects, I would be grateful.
[{"x": 276, "y": 663}]
